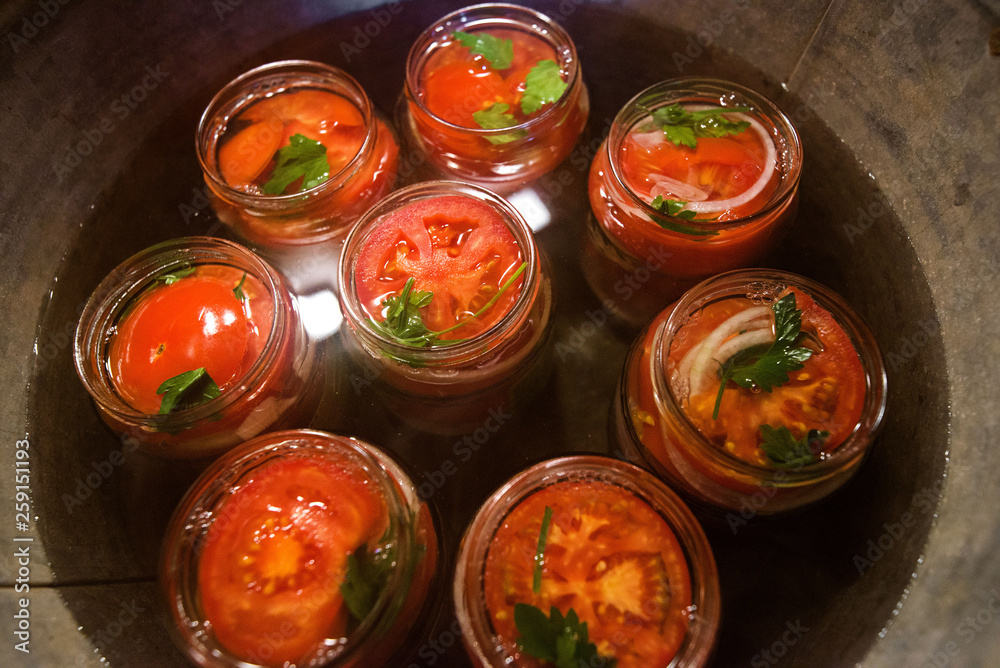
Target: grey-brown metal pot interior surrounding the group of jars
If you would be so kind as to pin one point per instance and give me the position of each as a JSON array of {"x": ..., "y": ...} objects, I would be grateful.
[{"x": 897, "y": 105}]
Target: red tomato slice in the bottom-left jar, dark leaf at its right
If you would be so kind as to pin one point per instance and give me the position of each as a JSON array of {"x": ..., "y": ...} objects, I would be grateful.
[{"x": 273, "y": 561}]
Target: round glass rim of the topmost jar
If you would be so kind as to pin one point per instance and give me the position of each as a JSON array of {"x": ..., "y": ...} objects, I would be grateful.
[{"x": 494, "y": 15}]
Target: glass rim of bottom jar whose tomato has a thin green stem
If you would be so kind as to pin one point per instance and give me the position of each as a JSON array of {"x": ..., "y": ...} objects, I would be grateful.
[{"x": 467, "y": 589}]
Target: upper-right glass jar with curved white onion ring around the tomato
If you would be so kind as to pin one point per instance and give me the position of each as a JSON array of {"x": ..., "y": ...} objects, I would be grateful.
[{"x": 730, "y": 198}]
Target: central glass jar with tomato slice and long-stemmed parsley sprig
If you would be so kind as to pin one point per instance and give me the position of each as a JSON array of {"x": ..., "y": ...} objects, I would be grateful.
[{"x": 446, "y": 301}]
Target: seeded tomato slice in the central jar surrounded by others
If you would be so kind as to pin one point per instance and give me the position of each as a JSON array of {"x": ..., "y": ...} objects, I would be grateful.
[{"x": 457, "y": 247}]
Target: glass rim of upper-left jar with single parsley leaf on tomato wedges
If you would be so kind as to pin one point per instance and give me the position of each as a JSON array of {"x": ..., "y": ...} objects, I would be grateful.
[{"x": 261, "y": 83}]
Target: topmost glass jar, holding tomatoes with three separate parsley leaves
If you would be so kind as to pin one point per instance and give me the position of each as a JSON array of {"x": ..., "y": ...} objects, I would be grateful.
[{"x": 434, "y": 114}]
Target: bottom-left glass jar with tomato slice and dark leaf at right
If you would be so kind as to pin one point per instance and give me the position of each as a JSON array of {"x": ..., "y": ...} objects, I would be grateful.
[{"x": 255, "y": 563}]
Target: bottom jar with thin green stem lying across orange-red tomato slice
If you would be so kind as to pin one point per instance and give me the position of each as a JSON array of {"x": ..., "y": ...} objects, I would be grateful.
[{"x": 615, "y": 532}]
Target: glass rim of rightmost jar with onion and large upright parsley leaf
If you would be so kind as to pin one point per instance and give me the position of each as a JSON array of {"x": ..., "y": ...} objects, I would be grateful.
[{"x": 764, "y": 285}]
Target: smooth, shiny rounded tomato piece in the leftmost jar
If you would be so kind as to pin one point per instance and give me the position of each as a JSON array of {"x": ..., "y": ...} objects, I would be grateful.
[{"x": 195, "y": 322}]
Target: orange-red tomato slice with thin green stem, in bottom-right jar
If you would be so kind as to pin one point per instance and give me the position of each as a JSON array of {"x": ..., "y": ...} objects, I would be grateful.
[{"x": 608, "y": 556}]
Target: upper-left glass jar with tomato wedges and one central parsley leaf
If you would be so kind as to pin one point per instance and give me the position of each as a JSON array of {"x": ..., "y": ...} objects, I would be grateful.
[{"x": 293, "y": 153}]
